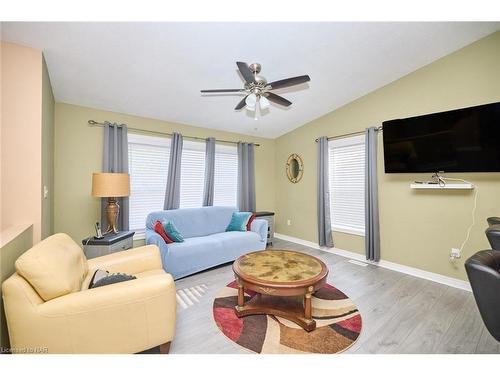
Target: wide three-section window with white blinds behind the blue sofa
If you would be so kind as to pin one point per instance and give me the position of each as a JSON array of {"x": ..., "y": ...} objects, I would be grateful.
[{"x": 148, "y": 167}]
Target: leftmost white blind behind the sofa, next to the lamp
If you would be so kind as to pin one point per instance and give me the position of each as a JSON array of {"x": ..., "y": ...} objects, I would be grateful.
[{"x": 148, "y": 168}]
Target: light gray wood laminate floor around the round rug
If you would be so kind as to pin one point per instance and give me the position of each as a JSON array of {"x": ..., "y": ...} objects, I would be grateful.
[{"x": 401, "y": 313}]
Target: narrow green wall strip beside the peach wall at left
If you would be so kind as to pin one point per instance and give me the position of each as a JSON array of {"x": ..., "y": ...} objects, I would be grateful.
[{"x": 47, "y": 153}]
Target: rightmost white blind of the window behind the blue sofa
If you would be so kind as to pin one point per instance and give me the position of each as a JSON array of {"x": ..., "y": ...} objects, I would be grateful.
[{"x": 226, "y": 175}]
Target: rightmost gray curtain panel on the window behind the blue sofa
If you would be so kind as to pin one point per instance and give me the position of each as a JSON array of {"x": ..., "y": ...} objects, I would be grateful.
[{"x": 246, "y": 177}]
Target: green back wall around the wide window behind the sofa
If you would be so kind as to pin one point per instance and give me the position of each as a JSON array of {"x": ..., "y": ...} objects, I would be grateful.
[{"x": 79, "y": 153}]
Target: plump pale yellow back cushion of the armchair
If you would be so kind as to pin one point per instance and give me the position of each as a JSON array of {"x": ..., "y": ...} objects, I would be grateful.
[{"x": 54, "y": 267}]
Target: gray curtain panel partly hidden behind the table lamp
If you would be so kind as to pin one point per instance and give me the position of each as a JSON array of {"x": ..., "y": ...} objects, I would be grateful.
[{"x": 115, "y": 161}]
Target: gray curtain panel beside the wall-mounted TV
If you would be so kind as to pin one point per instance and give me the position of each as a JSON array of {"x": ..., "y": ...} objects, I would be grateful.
[{"x": 372, "y": 233}]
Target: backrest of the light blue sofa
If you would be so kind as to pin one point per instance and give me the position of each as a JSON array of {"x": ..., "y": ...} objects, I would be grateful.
[{"x": 194, "y": 222}]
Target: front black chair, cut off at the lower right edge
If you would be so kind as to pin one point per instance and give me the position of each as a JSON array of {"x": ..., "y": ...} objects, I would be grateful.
[{"x": 483, "y": 271}]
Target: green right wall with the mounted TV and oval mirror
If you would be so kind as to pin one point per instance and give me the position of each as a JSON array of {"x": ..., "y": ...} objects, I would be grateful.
[{"x": 417, "y": 228}]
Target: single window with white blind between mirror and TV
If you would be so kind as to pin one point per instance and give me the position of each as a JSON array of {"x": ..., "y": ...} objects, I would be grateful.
[{"x": 347, "y": 184}]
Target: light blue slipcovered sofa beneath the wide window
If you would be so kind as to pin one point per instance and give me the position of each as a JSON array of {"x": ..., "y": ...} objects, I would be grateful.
[{"x": 206, "y": 243}]
